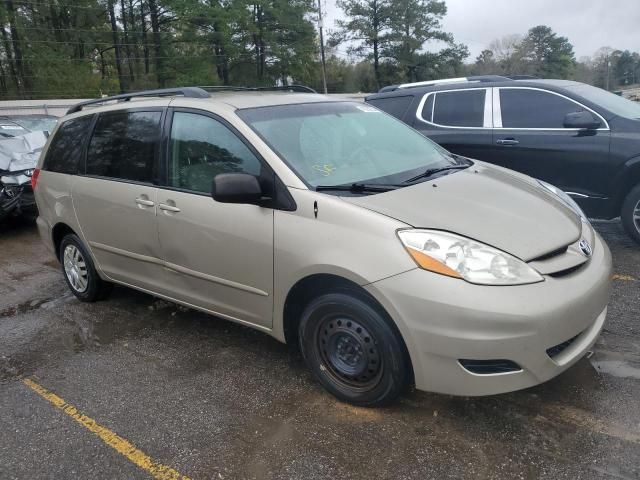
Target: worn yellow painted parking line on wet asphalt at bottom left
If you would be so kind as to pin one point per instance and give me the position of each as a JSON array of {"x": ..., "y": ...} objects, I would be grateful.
[{"x": 122, "y": 446}]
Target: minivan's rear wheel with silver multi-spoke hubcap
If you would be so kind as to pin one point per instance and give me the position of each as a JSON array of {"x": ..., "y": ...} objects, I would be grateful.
[{"x": 79, "y": 271}]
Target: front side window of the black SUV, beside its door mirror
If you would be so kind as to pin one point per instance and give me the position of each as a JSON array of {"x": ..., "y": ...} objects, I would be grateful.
[{"x": 534, "y": 109}]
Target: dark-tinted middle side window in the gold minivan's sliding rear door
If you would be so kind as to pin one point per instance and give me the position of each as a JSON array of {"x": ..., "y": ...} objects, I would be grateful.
[{"x": 125, "y": 146}]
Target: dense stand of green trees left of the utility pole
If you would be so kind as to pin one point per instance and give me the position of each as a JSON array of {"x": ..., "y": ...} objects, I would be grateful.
[{"x": 87, "y": 48}]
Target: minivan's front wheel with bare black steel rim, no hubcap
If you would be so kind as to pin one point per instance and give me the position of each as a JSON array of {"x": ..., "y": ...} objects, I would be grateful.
[{"x": 352, "y": 350}]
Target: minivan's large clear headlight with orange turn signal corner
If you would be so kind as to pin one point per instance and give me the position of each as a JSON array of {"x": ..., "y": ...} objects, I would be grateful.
[{"x": 461, "y": 257}]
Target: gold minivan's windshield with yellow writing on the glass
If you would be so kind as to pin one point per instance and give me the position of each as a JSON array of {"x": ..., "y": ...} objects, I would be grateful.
[{"x": 345, "y": 143}]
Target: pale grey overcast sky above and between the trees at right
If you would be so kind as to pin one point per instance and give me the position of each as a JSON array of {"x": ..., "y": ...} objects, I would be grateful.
[{"x": 589, "y": 24}]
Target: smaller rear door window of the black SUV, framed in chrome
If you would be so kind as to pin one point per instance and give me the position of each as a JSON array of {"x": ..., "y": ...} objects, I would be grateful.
[{"x": 463, "y": 108}]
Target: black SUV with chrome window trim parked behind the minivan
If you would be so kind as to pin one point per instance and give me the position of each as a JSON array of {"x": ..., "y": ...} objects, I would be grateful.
[{"x": 582, "y": 139}]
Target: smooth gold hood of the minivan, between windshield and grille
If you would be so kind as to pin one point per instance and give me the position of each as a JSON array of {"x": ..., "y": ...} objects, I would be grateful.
[{"x": 489, "y": 204}]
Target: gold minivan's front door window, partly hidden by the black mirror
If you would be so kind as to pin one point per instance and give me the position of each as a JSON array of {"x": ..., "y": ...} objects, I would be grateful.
[{"x": 201, "y": 147}]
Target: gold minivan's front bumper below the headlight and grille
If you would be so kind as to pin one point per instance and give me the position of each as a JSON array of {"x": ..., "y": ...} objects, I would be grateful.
[{"x": 443, "y": 320}]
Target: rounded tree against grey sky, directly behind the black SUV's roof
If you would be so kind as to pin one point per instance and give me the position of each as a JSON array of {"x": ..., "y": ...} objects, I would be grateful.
[{"x": 545, "y": 54}]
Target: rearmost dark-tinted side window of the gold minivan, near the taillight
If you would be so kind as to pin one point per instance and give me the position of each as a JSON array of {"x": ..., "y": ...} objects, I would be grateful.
[{"x": 65, "y": 152}]
